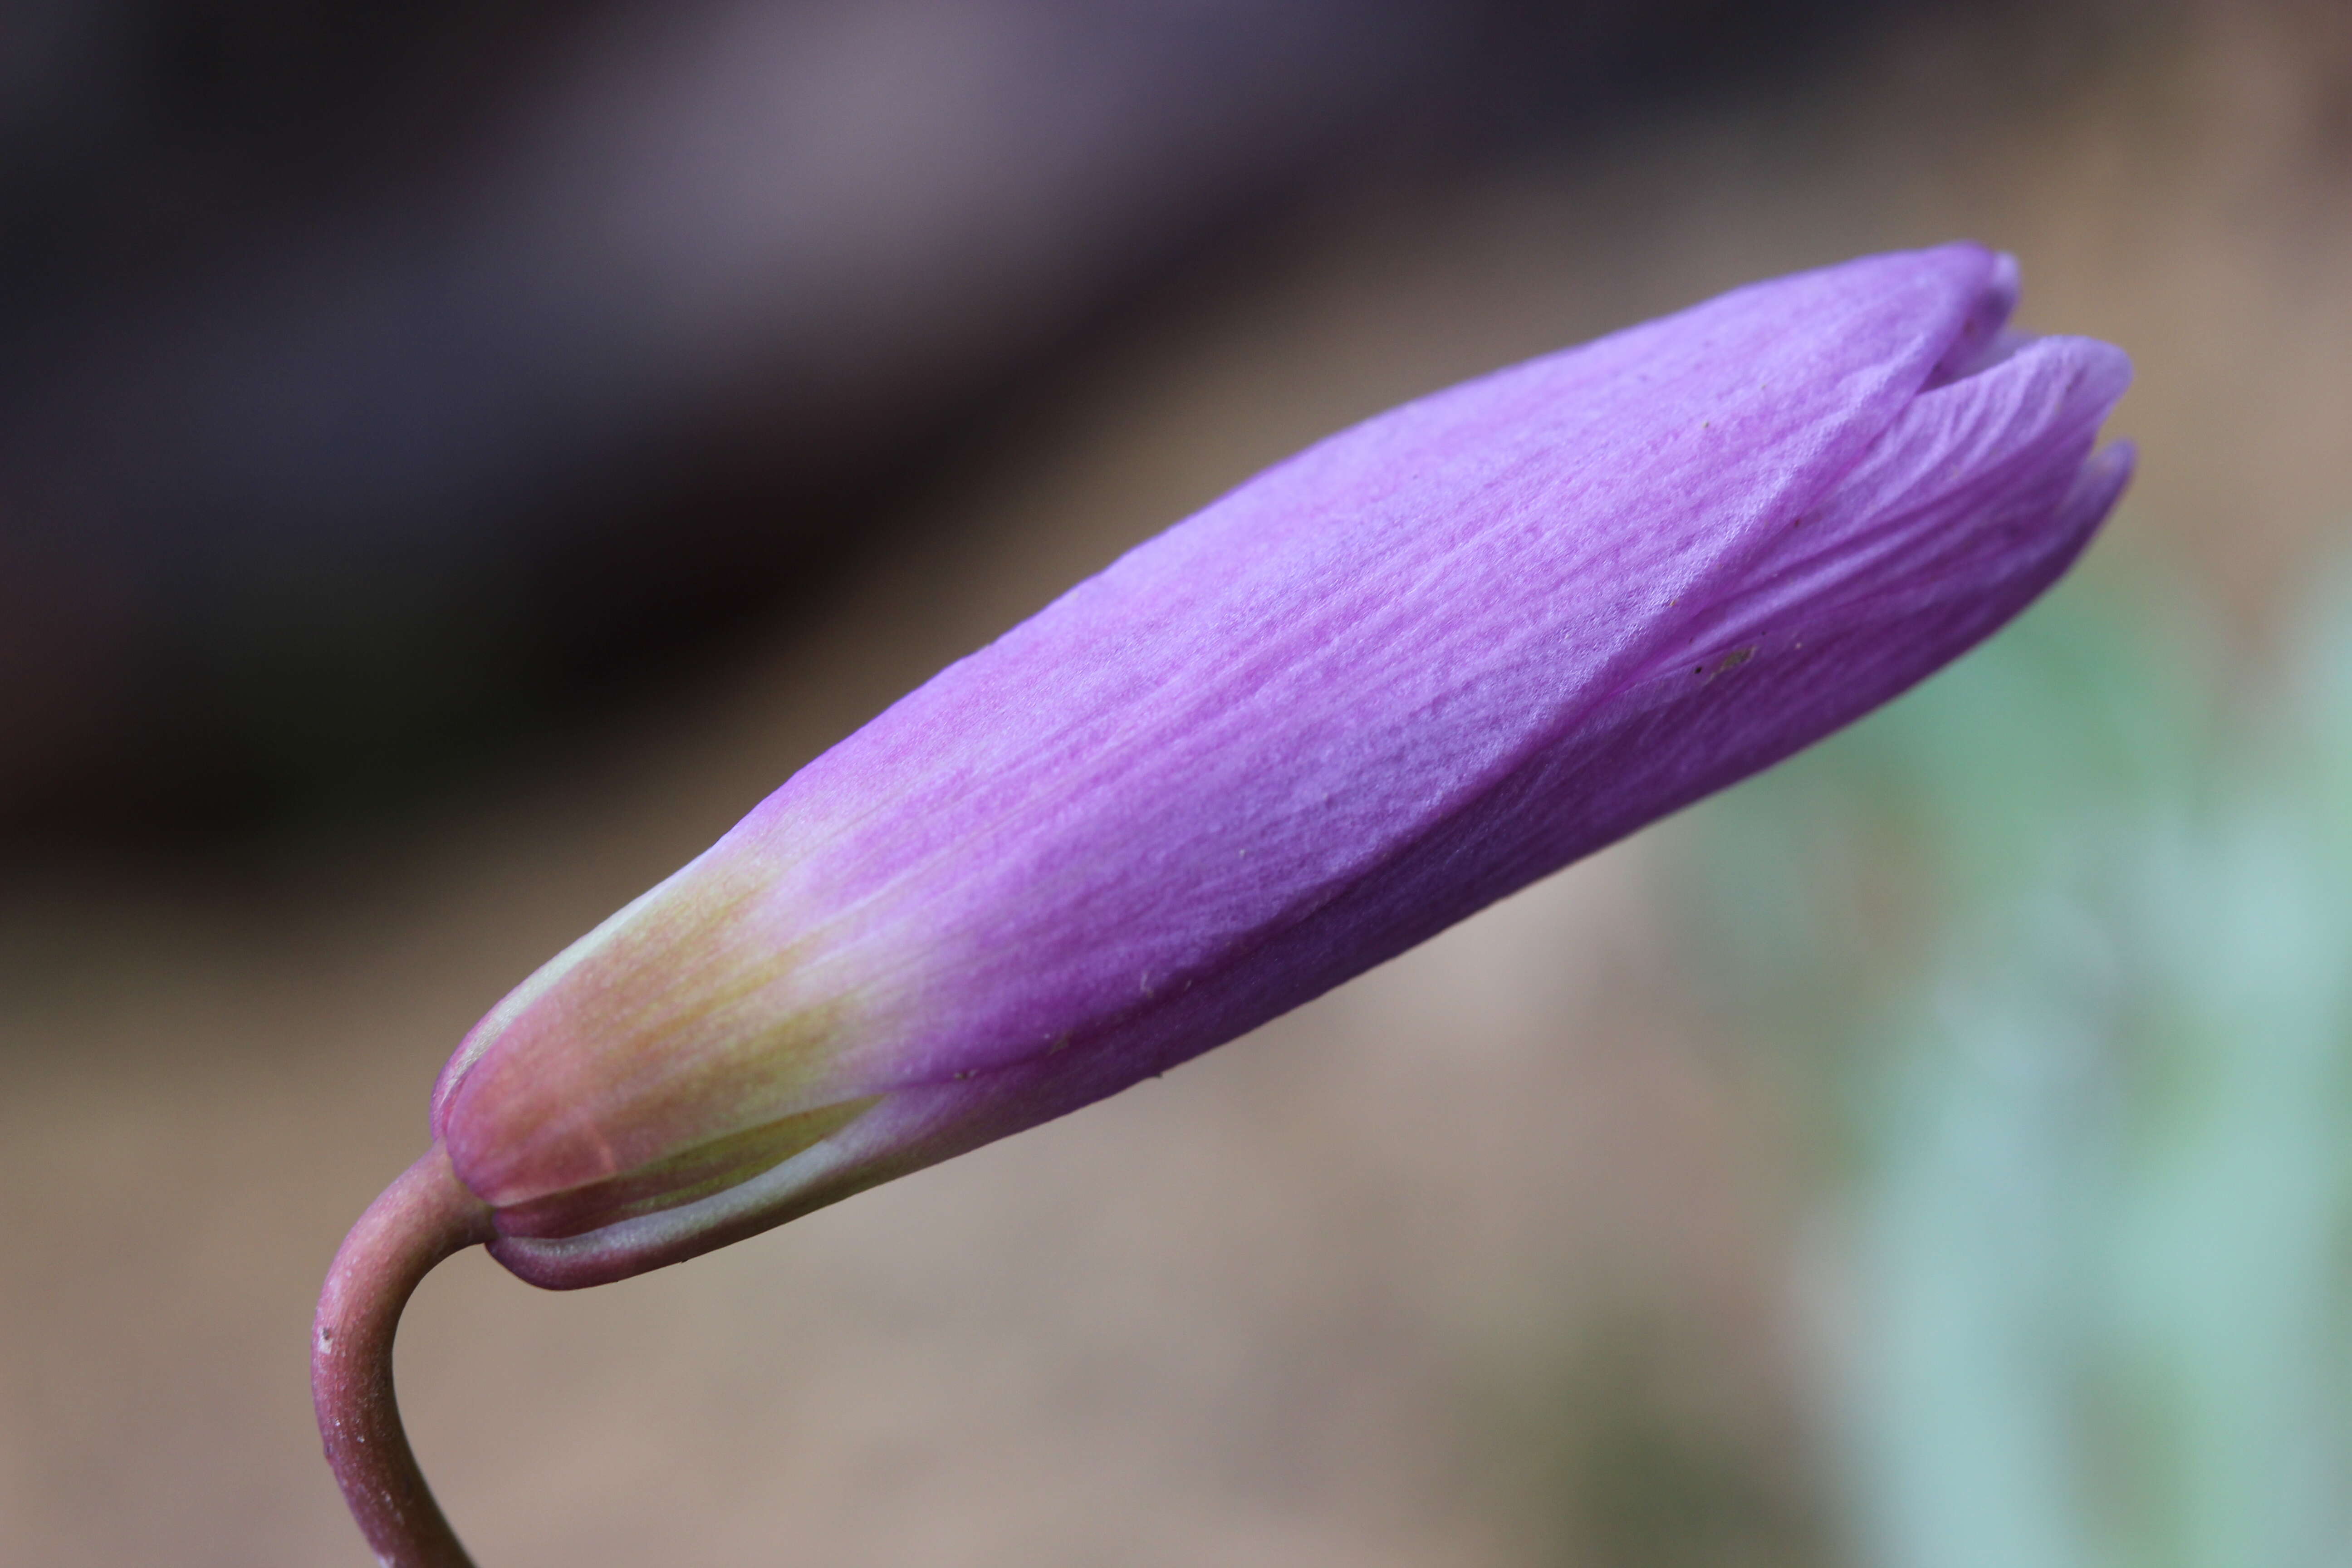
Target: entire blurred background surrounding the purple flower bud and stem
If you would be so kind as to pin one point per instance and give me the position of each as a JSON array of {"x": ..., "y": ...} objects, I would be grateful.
[{"x": 455, "y": 460}]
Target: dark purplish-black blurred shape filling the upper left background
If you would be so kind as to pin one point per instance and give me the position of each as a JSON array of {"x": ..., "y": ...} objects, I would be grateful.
[{"x": 382, "y": 382}]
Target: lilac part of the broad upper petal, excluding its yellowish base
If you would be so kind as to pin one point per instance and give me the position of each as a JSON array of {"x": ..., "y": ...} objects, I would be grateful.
[{"x": 1250, "y": 713}]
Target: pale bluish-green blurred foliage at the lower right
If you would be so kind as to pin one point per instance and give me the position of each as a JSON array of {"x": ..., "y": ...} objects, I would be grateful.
[{"x": 2054, "y": 956}]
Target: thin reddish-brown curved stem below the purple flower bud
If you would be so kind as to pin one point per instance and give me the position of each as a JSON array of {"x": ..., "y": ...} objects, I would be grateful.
[{"x": 415, "y": 1224}]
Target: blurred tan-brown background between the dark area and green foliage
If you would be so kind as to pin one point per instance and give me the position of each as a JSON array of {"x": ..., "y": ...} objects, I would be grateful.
[{"x": 1478, "y": 1261}]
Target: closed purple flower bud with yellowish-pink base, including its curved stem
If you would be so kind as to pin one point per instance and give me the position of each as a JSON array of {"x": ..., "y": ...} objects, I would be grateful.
[{"x": 1358, "y": 699}]
